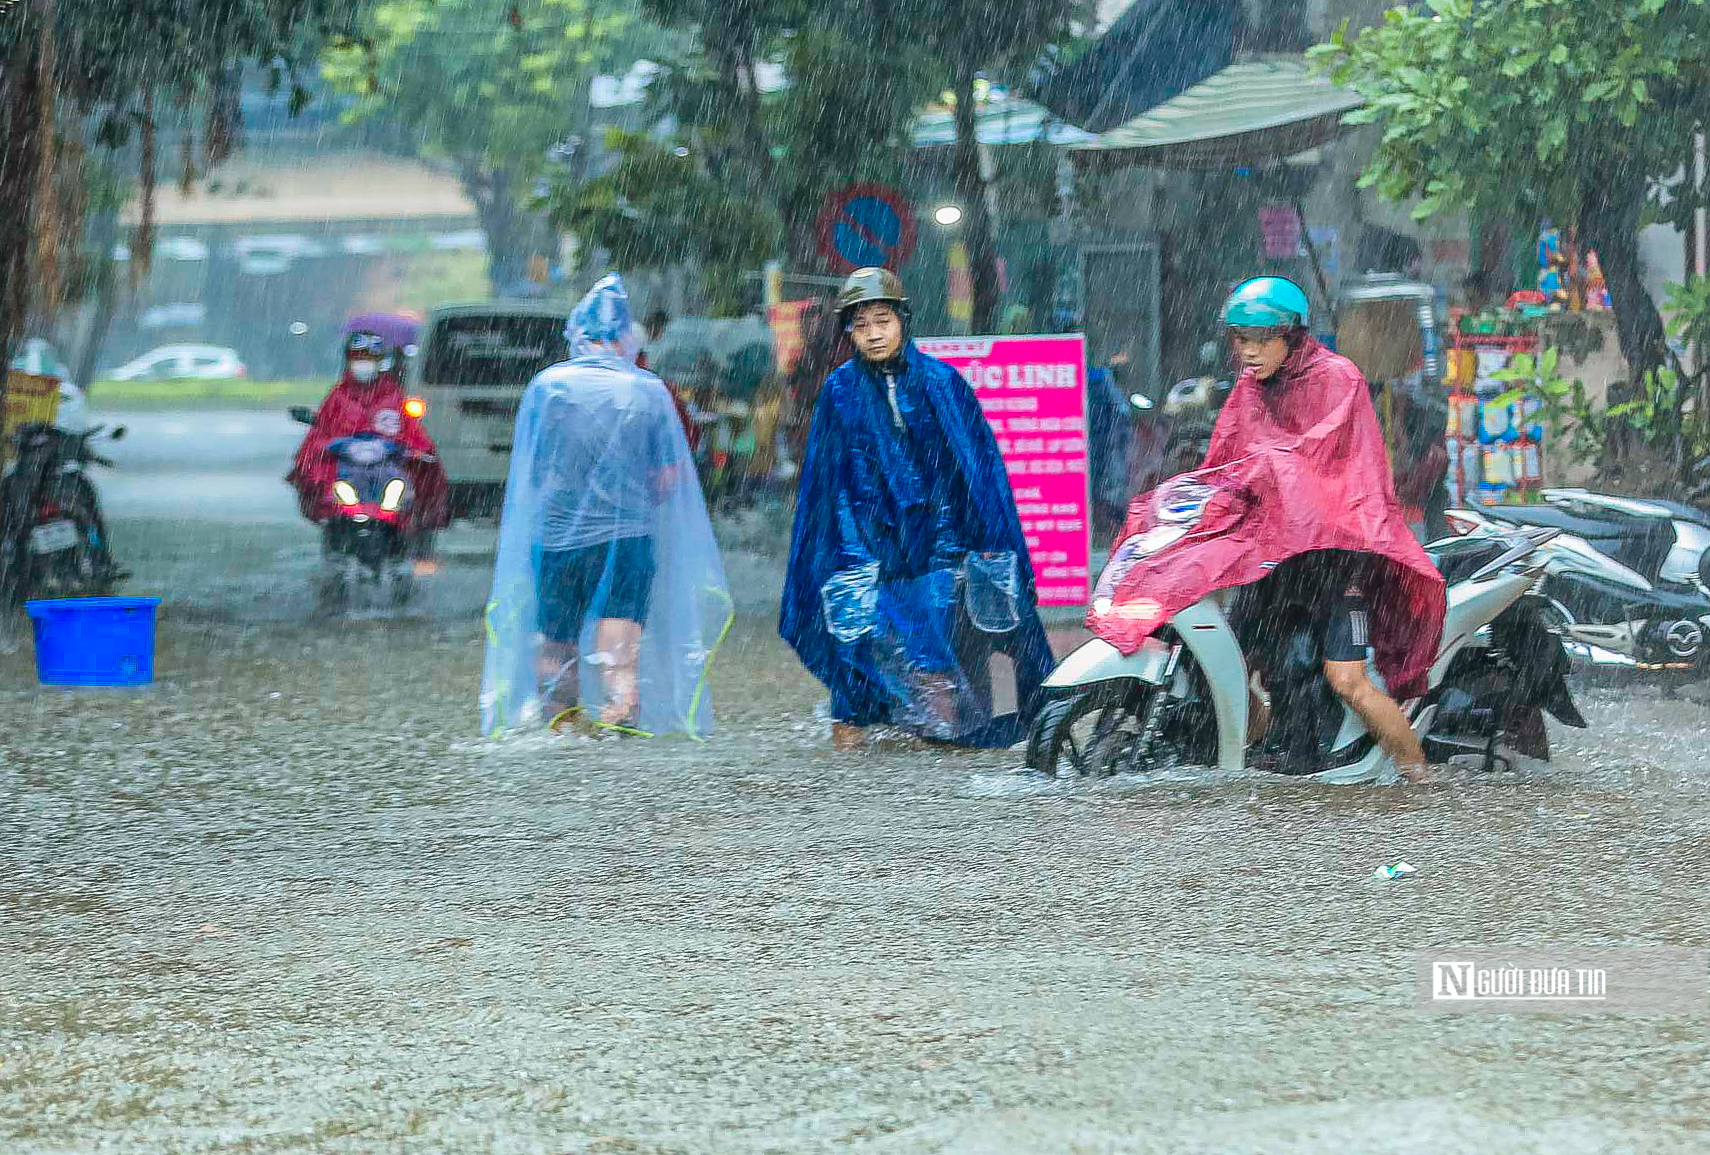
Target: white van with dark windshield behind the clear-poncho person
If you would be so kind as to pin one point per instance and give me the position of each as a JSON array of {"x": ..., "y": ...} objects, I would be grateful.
[{"x": 471, "y": 370}]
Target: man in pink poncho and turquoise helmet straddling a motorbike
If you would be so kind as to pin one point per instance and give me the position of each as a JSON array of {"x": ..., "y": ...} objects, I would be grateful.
[{"x": 1302, "y": 441}]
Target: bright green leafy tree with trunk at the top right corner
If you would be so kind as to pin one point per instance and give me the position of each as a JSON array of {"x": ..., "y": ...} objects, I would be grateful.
[{"x": 1545, "y": 109}]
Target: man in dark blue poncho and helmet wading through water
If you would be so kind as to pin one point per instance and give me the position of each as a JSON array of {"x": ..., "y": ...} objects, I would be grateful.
[{"x": 907, "y": 564}]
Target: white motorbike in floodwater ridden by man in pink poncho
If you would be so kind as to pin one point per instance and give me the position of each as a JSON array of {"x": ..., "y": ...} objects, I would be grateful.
[{"x": 1182, "y": 699}]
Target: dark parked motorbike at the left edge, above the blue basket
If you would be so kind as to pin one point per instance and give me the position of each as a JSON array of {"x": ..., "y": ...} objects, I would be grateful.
[{"x": 54, "y": 540}]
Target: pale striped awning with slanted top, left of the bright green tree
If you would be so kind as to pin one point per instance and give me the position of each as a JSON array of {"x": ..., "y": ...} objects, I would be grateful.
[{"x": 1246, "y": 115}]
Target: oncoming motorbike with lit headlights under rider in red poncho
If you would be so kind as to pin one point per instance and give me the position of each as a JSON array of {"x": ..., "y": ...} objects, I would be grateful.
[{"x": 367, "y": 552}]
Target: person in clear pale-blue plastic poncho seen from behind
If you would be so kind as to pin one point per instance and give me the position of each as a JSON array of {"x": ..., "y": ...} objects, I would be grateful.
[{"x": 610, "y": 598}]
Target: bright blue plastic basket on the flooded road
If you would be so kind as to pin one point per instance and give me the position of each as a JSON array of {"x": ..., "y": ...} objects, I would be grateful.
[{"x": 95, "y": 641}]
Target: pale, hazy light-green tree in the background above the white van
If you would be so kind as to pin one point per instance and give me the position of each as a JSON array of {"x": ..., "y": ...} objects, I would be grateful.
[{"x": 492, "y": 86}]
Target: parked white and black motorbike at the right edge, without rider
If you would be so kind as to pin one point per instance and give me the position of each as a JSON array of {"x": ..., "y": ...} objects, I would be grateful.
[{"x": 1627, "y": 581}]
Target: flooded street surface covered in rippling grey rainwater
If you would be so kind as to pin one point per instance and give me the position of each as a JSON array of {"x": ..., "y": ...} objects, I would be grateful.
[{"x": 288, "y": 901}]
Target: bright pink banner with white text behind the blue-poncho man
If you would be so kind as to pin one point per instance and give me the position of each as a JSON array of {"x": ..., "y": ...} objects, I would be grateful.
[{"x": 1034, "y": 393}]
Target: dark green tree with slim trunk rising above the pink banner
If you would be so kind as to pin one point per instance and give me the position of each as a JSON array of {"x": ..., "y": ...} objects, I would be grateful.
[{"x": 858, "y": 73}]
